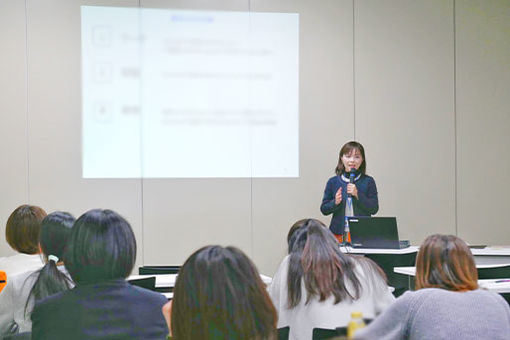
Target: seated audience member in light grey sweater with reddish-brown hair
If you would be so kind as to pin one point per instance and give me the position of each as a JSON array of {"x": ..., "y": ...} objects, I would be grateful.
[{"x": 447, "y": 303}]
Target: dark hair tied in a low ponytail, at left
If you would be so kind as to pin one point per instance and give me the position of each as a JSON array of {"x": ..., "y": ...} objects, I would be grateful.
[{"x": 53, "y": 238}]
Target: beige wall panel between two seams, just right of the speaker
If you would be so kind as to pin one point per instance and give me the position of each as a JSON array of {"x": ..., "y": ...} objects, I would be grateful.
[{"x": 404, "y": 82}]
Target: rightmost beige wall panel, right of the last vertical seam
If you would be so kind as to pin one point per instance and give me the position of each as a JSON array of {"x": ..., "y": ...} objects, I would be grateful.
[{"x": 483, "y": 120}]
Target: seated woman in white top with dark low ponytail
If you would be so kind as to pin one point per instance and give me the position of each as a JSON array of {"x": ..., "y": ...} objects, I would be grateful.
[{"x": 17, "y": 299}]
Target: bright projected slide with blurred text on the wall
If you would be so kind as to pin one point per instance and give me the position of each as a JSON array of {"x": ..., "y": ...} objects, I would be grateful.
[{"x": 189, "y": 94}]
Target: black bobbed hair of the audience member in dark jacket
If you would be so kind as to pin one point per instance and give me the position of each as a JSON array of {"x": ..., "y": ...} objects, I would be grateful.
[{"x": 102, "y": 247}]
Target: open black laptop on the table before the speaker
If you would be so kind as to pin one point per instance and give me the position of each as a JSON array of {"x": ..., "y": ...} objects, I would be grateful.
[{"x": 375, "y": 232}]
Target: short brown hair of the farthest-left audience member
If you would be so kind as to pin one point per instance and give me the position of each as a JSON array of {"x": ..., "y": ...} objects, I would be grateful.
[{"x": 22, "y": 229}]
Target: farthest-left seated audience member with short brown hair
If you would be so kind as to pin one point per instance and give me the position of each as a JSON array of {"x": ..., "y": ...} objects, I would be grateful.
[{"x": 22, "y": 234}]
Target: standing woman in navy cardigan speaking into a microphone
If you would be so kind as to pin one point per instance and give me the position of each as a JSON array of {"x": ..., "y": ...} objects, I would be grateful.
[{"x": 339, "y": 191}]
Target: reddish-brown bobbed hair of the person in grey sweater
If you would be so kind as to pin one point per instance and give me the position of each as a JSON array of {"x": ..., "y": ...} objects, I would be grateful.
[{"x": 445, "y": 261}]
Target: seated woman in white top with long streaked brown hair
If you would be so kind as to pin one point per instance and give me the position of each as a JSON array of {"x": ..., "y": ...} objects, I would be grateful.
[{"x": 317, "y": 286}]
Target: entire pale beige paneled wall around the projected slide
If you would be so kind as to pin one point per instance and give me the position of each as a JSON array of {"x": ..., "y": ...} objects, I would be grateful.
[{"x": 422, "y": 84}]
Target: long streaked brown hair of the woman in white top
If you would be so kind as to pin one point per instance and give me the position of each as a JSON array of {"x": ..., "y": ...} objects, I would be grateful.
[{"x": 316, "y": 259}]
